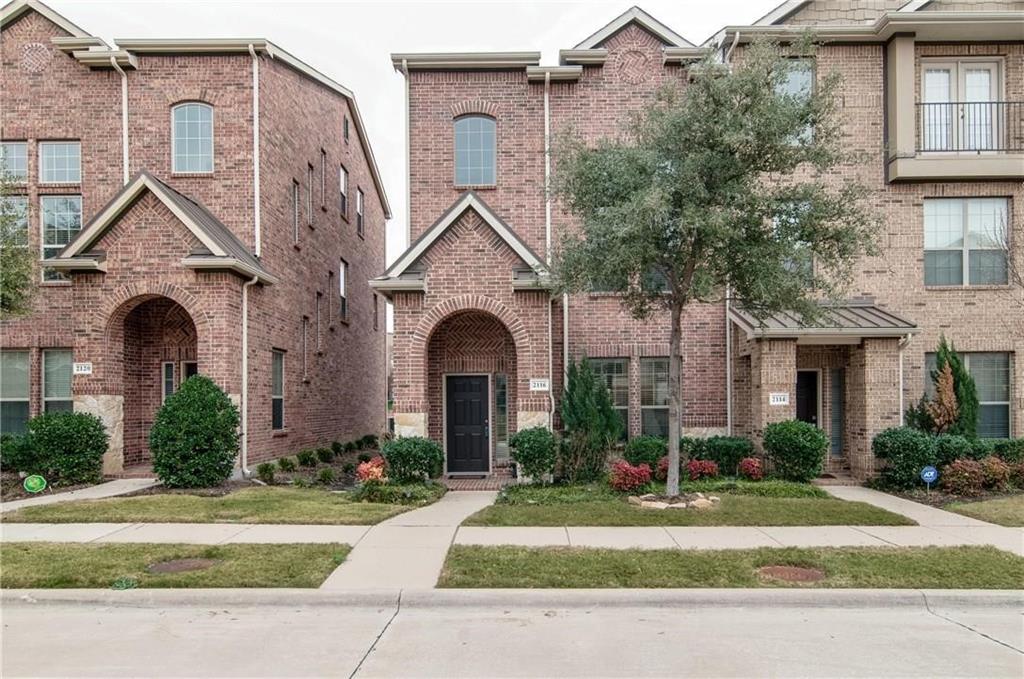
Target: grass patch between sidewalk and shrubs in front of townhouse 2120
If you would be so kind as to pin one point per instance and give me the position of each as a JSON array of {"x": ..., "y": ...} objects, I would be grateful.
[{"x": 257, "y": 505}]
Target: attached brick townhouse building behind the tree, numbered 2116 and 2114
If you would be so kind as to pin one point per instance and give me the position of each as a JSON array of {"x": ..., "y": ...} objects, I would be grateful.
[{"x": 932, "y": 95}]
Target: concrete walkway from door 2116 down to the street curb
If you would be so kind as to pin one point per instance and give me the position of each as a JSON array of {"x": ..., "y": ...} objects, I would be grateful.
[{"x": 408, "y": 550}]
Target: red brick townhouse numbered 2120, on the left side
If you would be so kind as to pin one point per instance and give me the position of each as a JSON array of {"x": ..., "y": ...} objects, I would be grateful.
[{"x": 200, "y": 206}]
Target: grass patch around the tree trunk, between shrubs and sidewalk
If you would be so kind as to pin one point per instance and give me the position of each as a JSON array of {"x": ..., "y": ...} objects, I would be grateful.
[{"x": 761, "y": 503}]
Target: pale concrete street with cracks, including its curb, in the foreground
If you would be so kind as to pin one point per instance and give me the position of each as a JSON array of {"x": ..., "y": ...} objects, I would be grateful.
[{"x": 713, "y": 633}]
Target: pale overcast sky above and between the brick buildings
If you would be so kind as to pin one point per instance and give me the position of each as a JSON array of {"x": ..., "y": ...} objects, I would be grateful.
[{"x": 352, "y": 43}]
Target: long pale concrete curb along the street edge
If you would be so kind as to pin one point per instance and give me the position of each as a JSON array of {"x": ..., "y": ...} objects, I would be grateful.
[{"x": 668, "y": 599}]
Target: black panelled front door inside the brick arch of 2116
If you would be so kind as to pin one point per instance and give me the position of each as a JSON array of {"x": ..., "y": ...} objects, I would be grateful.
[{"x": 468, "y": 418}]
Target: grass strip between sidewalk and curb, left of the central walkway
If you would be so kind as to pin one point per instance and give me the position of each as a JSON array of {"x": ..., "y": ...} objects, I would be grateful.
[{"x": 74, "y": 566}]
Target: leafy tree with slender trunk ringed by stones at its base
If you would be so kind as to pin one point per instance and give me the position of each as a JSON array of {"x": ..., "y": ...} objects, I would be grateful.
[{"x": 718, "y": 189}]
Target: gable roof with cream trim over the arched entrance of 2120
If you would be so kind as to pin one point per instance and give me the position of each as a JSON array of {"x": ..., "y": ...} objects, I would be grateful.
[{"x": 223, "y": 250}]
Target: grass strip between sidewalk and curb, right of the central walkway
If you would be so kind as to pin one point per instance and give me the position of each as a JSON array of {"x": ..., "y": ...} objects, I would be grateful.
[{"x": 938, "y": 568}]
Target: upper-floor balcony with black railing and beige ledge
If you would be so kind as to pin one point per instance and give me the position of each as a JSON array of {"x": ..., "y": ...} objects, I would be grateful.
[{"x": 966, "y": 141}]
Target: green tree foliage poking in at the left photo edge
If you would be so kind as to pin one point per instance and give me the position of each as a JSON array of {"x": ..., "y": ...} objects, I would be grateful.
[{"x": 18, "y": 261}]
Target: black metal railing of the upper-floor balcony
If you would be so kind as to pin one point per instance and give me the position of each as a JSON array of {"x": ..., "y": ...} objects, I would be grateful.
[{"x": 971, "y": 126}]
